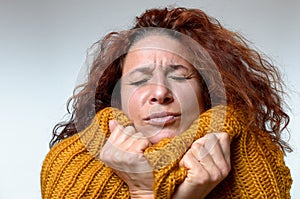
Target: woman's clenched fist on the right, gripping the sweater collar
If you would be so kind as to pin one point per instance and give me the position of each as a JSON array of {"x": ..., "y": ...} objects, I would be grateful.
[{"x": 207, "y": 163}]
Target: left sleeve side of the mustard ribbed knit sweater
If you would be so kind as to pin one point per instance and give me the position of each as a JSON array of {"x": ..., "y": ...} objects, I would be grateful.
[{"x": 72, "y": 169}]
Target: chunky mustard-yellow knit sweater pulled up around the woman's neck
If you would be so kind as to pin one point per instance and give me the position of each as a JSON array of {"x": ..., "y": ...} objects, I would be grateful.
[{"x": 72, "y": 168}]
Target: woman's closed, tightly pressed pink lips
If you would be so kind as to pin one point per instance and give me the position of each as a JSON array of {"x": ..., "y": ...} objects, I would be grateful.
[{"x": 162, "y": 118}]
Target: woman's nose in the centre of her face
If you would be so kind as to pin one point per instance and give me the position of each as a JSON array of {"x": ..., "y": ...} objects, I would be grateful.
[{"x": 160, "y": 94}]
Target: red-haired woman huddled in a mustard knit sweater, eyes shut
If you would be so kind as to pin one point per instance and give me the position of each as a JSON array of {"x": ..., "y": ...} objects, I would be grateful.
[{"x": 171, "y": 67}]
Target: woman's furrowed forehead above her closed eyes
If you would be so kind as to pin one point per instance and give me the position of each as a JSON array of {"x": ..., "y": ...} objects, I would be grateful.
[{"x": 156, "y": 50}]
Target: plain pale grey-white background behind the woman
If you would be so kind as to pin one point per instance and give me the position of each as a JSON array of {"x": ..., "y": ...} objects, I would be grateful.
[{"x": 43, "y": 46}]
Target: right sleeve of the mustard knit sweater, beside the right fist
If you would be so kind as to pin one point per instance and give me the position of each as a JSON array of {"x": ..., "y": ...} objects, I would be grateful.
[{"x": 257, "y": 169}]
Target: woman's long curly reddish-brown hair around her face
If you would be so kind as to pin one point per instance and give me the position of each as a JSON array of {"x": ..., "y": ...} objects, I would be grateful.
[{"x": 251, "y": 81}]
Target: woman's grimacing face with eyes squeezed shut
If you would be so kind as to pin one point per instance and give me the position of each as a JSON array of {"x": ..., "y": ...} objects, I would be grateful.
[{"x": 160, "y": 91}]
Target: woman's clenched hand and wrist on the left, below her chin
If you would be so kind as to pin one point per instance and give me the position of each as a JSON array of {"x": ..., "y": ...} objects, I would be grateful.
[{"x": 123, "y": 152}]
